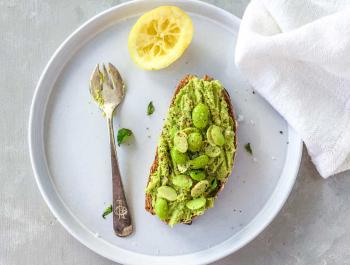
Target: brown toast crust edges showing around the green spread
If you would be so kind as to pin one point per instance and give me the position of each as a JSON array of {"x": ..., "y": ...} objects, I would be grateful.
[{"x": 148, "y": 199}]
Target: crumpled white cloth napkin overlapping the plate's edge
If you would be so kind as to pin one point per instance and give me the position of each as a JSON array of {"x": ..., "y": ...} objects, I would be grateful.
[{"x": 296, "y": 54}]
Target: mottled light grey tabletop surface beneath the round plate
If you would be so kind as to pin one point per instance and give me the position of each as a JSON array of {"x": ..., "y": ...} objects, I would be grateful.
[{"x": 312, "y": 228}]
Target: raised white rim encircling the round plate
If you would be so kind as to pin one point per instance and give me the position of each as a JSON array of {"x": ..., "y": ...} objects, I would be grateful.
[{"x": 268, "y": 212}]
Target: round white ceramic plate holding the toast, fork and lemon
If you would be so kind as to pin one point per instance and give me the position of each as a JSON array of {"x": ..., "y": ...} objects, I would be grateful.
[{"x": 69, "y": 145}]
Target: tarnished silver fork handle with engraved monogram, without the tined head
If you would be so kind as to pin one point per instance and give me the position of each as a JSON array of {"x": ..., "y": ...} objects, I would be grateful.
[{"x": 121, "y": 215}]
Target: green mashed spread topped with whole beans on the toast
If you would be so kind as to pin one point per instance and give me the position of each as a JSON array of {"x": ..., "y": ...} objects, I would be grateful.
[{"x": 195, "y": 153}]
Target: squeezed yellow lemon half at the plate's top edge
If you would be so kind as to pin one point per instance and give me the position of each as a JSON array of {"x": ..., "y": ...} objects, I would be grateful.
[{"x": 160, "y": 37}]
